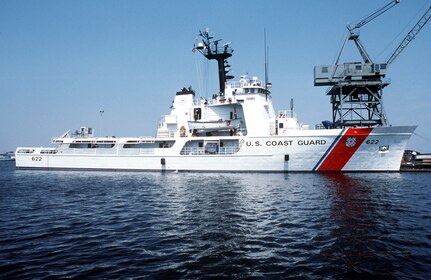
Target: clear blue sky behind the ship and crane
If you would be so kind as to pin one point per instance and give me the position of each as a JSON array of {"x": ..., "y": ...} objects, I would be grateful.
[{"x": 63, "y": 61}]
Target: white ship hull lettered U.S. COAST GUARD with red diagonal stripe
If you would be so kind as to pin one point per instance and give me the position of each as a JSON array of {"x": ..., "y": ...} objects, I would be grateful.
[{"x": 350, "y": 149}]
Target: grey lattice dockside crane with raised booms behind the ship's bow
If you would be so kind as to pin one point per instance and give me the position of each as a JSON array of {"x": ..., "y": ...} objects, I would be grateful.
[{"x": 356, "y": 88}]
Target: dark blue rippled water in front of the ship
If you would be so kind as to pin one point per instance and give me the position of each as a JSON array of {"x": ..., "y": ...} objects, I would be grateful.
[{"x": 185, "y": 225}]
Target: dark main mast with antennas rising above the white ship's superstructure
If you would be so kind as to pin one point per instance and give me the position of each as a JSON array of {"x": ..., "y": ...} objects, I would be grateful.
[{"x": 211, "y": 50}]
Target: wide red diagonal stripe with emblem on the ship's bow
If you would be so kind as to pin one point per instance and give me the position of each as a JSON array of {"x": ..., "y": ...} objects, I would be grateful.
[{"x": 344, "y": 149}]
